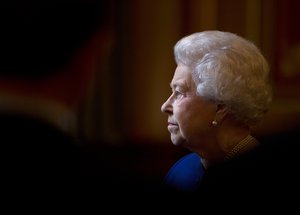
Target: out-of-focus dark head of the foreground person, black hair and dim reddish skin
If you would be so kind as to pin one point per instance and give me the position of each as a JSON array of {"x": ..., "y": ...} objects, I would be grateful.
[{"x": 53, "y": 48}]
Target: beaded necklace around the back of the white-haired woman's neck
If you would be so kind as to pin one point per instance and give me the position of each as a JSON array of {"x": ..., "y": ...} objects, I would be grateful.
[{"x": 245, "y": 145}]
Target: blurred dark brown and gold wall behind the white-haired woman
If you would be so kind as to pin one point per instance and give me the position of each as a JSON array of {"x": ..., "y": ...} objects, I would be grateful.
[{"x": 126, "y": 96}]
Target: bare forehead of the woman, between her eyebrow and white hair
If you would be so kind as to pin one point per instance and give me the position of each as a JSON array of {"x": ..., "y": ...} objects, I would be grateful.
[{"x": 182, "y": 77}]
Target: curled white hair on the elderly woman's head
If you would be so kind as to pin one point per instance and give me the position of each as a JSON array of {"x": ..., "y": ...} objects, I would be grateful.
[{"x": 228, "y": 69}]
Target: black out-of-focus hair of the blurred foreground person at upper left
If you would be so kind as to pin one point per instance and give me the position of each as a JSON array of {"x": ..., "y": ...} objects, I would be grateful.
[{"x": 40, "y": 37}]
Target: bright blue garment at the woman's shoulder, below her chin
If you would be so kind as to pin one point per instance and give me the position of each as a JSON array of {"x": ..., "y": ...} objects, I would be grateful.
[{"x": 186, "y": 173}]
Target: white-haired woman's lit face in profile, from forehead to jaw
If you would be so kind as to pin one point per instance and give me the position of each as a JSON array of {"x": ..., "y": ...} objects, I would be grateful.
[{"x": 189, "y": 115}]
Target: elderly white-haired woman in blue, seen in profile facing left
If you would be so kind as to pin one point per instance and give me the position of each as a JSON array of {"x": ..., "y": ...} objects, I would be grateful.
[{"x": 220, "y": 90}]
